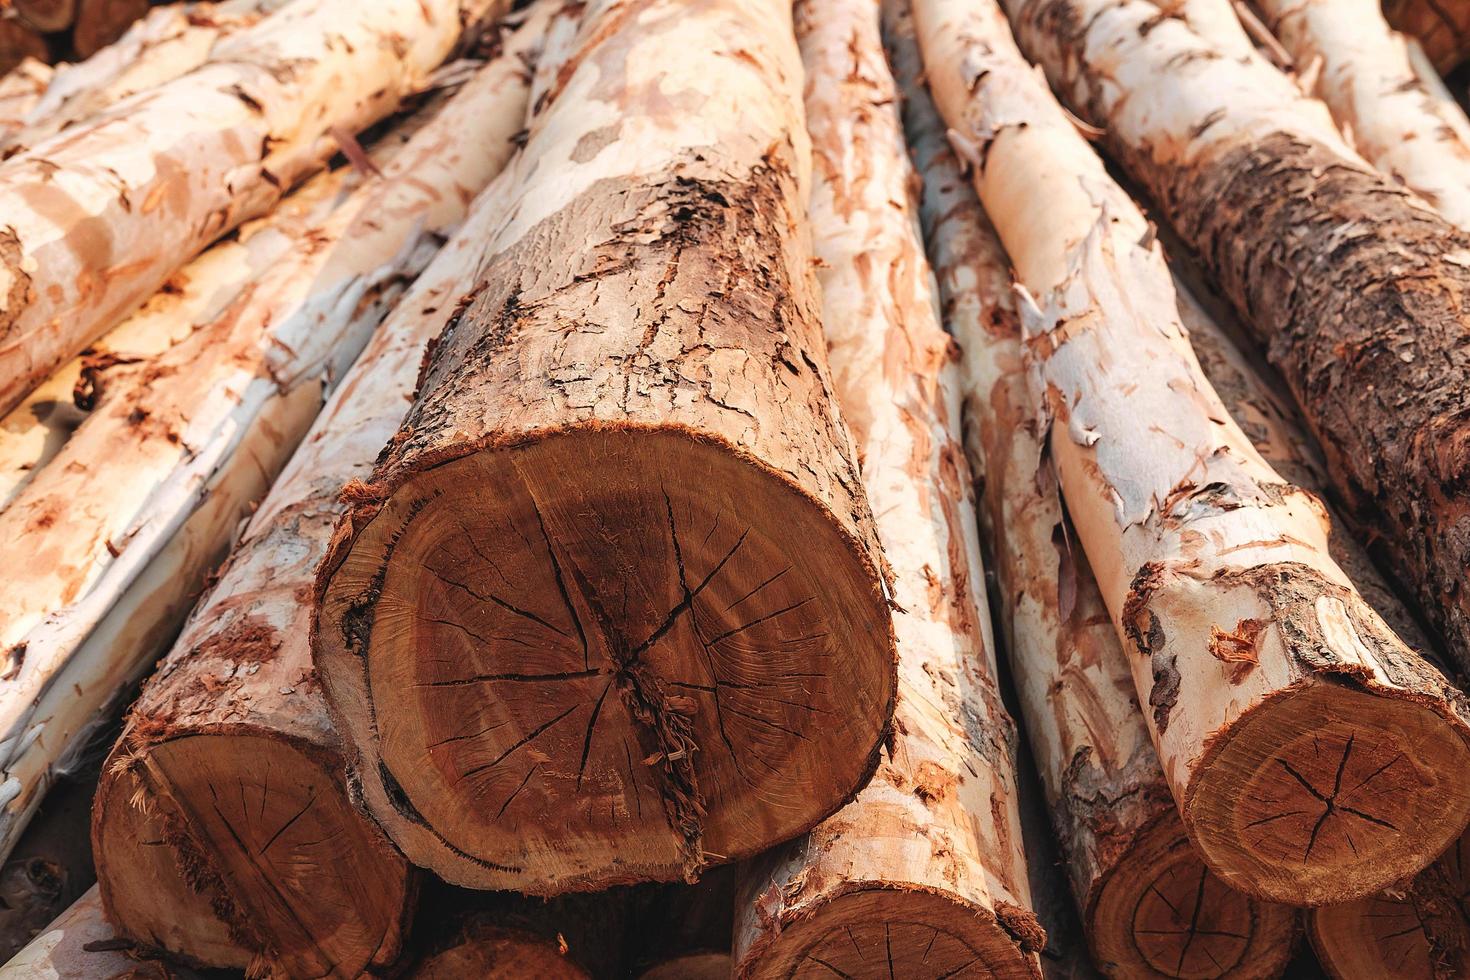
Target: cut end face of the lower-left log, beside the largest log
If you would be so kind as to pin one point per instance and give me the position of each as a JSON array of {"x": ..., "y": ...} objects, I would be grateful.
[{"x": 230, "y": 838}]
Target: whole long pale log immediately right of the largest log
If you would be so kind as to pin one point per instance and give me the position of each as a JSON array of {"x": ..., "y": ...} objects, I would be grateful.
[{"x": 925, "y": 869}]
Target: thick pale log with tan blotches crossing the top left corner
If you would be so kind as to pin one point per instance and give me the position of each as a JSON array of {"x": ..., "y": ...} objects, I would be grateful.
[{"x": 99, "y": 217}]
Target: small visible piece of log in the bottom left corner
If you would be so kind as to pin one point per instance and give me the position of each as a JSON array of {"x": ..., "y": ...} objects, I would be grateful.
[{"x": 82, "y": 945}]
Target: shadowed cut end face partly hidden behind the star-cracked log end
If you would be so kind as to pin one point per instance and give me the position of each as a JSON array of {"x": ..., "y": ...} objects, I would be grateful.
[{"x": 1162, "y": 913}]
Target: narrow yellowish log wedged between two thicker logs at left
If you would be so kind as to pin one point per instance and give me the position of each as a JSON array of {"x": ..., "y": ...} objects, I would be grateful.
[{"x": 195, "y": 298}]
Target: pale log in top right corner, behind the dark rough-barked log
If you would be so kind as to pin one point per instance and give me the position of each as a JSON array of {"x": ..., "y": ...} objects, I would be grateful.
[{"x": 1362, "y": 68}]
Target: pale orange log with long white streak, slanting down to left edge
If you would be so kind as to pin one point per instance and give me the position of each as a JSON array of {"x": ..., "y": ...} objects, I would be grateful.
[{"x": 161, "y": 474}]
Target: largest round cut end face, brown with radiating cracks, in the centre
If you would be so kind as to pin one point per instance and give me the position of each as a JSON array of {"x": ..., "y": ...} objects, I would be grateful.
[{"x": 603, "y": 656}]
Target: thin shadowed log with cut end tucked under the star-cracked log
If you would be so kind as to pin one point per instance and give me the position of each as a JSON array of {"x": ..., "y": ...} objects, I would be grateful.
[{"x": 1150, "y": 906}]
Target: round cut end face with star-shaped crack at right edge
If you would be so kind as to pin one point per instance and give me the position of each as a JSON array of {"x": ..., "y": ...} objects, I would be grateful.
[{"x": 1328, "y": 794}]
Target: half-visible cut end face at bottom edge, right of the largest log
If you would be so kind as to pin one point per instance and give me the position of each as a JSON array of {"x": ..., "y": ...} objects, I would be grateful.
[{"x": 894, "y": 932}]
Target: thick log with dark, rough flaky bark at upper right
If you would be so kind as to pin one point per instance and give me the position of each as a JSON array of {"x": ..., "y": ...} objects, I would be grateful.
[{"x": 1258, "y": 181}]
